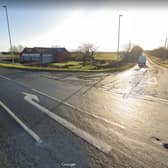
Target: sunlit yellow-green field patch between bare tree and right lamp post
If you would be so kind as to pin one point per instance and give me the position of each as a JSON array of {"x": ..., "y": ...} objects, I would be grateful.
[{"x": 107, "y": 56}]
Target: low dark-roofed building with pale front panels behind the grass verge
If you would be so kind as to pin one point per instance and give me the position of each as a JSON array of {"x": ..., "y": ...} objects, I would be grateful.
[{"x": 44, "y": 55}]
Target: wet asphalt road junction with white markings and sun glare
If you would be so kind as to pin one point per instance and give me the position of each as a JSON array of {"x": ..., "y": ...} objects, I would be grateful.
[{"x": 84, "y": 119}]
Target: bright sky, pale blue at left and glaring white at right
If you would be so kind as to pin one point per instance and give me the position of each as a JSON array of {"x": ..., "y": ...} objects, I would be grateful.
[{"x": 70, "y": 27}]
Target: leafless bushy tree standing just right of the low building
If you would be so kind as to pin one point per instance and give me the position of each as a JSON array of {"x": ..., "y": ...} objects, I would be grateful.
[{"x": 87, "y": 51}]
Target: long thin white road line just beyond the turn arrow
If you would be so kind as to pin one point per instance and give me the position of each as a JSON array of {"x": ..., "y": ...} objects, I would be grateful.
[{"x": 82, "y": 111}]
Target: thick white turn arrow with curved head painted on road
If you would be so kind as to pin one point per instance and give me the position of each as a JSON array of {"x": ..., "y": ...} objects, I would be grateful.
[{"x": 104, "y": 147}]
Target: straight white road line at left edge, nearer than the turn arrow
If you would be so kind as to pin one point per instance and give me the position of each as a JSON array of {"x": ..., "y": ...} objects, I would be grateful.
[{"x": 28, "y": 130}]
